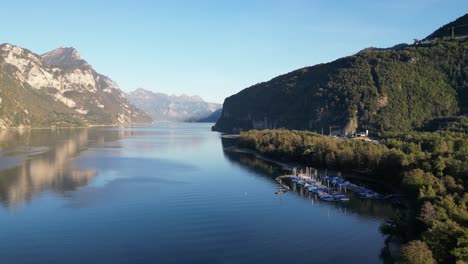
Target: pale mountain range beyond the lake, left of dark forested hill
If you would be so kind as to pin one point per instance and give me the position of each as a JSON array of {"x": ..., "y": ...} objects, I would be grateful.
[{"x": 59, "y": 88}]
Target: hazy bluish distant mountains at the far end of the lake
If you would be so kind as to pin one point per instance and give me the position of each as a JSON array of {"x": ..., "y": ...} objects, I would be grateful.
[{"x": 163, "y": 107}]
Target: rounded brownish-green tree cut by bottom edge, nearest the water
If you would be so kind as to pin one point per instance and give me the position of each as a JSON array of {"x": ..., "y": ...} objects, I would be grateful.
[{"x": 416, "y": 252}]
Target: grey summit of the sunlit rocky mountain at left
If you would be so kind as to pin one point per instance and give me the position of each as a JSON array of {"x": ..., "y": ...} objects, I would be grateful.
[{"x": 65, "y": 57}]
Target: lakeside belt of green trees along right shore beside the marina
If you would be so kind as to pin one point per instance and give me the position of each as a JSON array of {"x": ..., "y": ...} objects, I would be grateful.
[{"x": 431, "y": 167}]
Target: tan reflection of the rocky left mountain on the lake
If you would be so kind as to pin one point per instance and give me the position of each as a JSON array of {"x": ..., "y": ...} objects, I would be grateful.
[{"x": 39, "y": 160}]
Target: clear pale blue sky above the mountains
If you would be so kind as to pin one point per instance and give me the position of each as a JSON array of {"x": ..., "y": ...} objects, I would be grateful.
[{"x": 216, "y": 48}]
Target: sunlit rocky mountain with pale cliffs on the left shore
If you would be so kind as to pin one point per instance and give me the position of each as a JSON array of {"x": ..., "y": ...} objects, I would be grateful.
[{"x": 58, "y": 88}]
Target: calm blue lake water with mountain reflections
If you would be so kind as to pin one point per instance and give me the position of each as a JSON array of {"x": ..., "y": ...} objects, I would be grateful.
[{"x": 164, "y": 194}]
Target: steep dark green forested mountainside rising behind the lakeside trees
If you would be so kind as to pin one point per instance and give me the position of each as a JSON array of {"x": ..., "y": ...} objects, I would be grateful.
[{"x": 377, "y": 89}]
